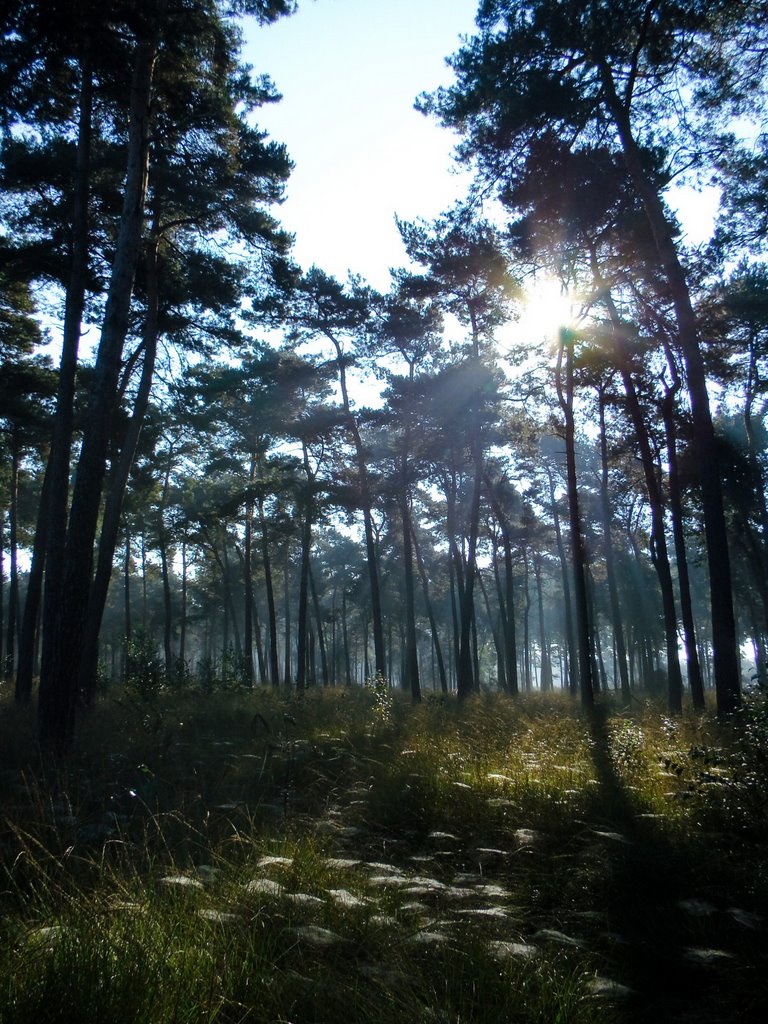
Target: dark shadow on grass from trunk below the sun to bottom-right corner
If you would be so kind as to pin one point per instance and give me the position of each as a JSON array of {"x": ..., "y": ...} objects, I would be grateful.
[{"x": 666, "y": 900}]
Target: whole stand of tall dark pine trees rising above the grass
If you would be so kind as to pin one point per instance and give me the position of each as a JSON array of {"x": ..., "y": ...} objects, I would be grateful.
[{"x": 393, "y": 489}]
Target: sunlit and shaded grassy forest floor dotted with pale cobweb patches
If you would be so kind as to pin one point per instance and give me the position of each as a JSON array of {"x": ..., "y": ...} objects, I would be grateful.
[{"x": 347, "y": 858}]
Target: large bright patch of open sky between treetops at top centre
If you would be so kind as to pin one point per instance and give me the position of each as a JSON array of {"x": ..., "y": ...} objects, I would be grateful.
[{"x": 350, "y": 72}]
